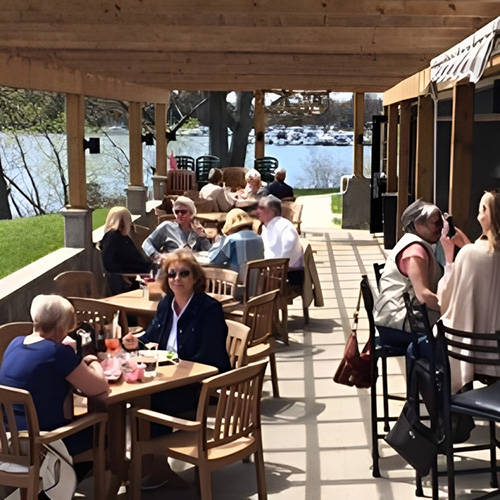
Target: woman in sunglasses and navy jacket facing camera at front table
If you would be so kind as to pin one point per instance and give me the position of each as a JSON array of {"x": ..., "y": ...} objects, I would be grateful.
[{"x": 190, "y": 323}]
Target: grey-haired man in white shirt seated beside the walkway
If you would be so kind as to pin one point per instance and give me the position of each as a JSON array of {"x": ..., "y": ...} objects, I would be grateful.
[{"x": 280, "y": 237}]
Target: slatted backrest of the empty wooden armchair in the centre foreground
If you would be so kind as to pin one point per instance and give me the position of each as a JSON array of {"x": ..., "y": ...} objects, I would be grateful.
[{"x": 237, "y": 413}]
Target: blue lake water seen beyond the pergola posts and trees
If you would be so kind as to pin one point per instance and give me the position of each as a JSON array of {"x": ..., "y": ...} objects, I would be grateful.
[{"x": 307, "y": 166}]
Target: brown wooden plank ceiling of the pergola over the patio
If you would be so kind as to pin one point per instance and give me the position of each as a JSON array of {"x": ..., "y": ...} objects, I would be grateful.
[{"x": 144, "y": 48}]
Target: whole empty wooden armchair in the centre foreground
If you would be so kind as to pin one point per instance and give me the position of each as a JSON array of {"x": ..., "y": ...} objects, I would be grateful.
[{"x": 209, "y": 444}]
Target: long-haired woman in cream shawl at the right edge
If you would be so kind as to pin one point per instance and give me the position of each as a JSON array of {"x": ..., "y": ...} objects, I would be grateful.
[{"x": 469, "y": 293}]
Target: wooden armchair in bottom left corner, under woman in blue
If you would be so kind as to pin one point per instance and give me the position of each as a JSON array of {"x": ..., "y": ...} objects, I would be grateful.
[{"x": 25, "y": 447}]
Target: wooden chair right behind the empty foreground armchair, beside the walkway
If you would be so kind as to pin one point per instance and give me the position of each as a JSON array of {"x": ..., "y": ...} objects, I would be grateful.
[{"x": 258, "y": 316}]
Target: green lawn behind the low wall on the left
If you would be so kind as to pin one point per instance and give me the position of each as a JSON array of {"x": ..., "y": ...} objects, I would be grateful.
[{"x": 25, "y": 240}]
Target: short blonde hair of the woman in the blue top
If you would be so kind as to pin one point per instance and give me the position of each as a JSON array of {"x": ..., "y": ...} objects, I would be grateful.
[{"x": 52, "y": 313}]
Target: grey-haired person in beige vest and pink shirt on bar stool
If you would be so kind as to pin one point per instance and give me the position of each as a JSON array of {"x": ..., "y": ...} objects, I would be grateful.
[{"x": 411, "y": 267}]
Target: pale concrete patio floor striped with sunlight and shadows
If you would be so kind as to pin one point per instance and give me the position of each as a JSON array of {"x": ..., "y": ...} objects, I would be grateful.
[{"x": 317, "y": 434}]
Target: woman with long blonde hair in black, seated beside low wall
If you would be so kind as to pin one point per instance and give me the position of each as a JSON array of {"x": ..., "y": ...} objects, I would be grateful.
[{"x": 119, "y": 253}]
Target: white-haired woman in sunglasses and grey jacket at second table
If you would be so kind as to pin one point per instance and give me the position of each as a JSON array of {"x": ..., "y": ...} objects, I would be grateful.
[{"x": 184, "y": 232}]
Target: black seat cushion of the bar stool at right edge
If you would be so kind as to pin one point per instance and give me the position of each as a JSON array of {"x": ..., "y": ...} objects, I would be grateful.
[{"x": 484, "y": 401}]
